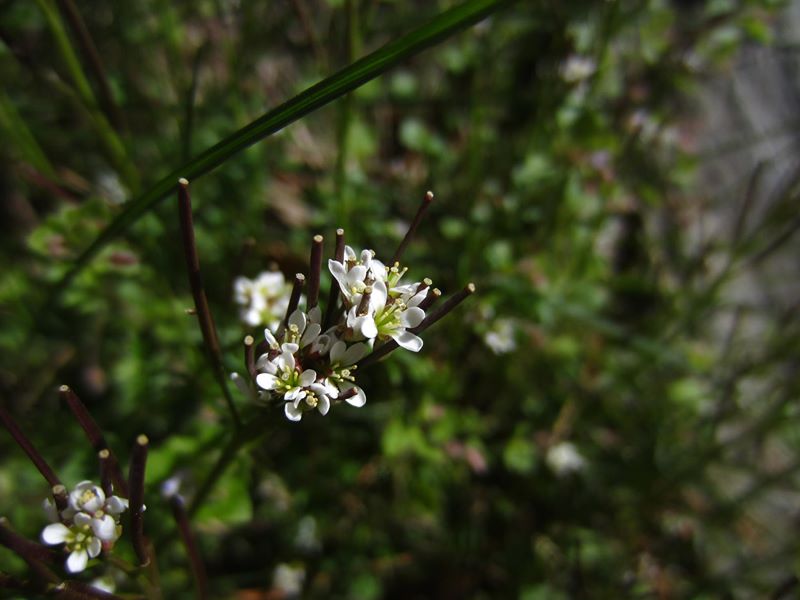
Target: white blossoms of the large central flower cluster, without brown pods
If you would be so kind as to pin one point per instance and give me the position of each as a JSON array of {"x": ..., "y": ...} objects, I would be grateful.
[{"x": 305, "y": 367}]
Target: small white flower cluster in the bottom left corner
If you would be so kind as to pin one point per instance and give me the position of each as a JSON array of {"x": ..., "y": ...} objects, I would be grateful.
[{"x": 88, "y": 524}]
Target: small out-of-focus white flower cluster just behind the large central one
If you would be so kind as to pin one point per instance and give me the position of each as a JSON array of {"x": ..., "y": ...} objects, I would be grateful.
[{"x": 263, "y": 300}]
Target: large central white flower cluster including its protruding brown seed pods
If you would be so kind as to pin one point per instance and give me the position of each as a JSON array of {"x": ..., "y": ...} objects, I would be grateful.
[{"x": 309, "y": 361}]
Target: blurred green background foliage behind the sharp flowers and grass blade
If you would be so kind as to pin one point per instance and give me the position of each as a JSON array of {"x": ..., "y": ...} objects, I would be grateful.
[{"x": 612, "y": 415}]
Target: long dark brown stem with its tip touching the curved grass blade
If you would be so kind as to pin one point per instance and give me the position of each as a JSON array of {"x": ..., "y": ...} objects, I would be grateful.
[{"x": 205, "y": 319}]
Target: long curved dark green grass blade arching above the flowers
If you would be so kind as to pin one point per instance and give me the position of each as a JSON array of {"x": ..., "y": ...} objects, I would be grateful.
[{"x": 346, "y": 80}]
